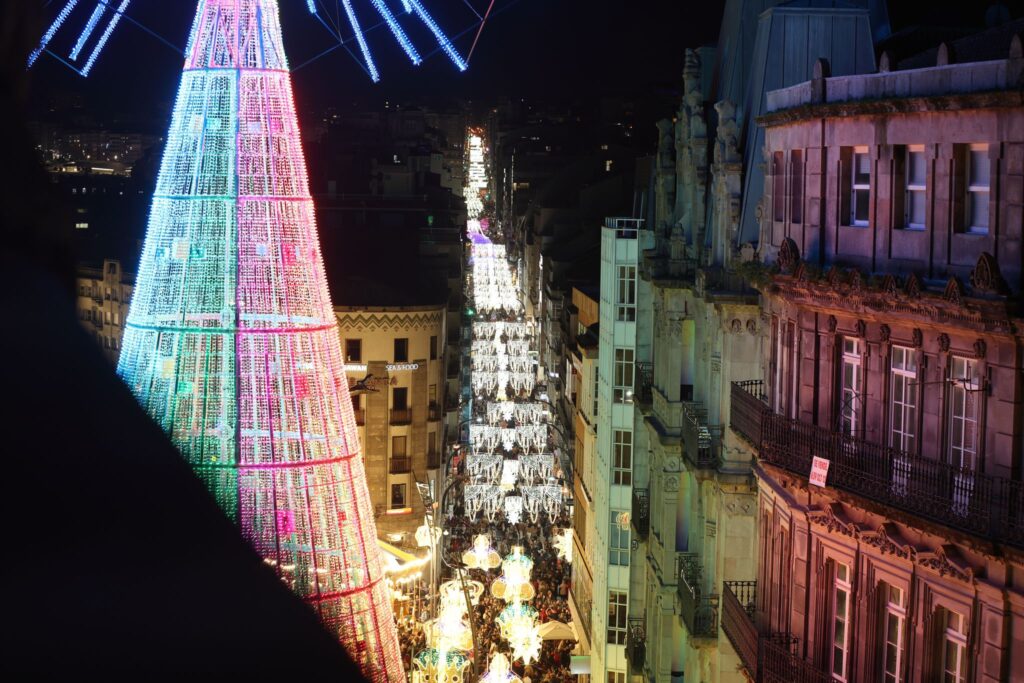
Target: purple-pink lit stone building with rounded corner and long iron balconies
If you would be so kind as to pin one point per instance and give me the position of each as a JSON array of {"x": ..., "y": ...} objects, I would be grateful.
[{"x": 891, "y": 329}]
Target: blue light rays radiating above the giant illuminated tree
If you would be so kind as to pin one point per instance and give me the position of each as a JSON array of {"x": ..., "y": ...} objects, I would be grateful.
[{"x": 362, "y": 17}]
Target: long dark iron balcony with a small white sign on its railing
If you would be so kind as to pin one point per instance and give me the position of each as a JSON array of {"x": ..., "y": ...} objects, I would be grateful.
[{"x": 959, "y": 498}]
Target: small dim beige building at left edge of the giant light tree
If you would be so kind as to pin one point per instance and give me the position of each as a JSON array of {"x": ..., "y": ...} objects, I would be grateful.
[{"x": 104, "y": 296}]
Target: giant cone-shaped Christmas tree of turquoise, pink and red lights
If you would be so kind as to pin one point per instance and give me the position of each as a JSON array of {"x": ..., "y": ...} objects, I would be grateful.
[{"x": 231, "y": 341}]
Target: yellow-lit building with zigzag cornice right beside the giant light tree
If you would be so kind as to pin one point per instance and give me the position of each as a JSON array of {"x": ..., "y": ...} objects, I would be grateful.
[{"x": 397, "y": 373}]
